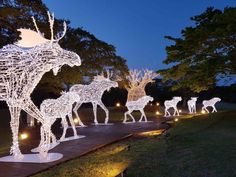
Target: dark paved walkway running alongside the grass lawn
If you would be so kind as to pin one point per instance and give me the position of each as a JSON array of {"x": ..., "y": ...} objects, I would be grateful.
[{"x": 96, "y": 137}]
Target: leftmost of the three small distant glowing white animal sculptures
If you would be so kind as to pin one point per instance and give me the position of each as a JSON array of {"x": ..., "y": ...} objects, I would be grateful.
[{"x": 172, "y": 104}]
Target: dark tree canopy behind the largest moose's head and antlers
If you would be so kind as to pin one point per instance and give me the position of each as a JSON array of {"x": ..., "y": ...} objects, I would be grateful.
[{"x": 96, "y": 55}]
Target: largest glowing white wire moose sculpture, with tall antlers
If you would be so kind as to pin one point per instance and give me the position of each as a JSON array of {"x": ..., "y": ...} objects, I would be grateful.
[{"x": 21, "y": 68}]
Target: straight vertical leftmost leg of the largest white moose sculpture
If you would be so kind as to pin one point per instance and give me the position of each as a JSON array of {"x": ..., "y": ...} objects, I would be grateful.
[{"x": 15, "y": 116}]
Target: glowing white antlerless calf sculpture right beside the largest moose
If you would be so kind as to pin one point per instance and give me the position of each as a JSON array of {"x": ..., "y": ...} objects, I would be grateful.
[{"x": 61, "y": 107}]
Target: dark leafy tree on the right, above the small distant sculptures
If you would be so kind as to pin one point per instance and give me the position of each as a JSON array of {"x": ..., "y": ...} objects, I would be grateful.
[{"x": 203, "y": 52}]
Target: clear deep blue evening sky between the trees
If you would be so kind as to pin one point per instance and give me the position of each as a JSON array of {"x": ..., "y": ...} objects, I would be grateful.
[{"x": 135, "y": 27}]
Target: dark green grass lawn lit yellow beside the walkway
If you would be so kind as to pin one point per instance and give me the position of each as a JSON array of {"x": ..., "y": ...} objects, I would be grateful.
[{"x": 203, "y": 146}]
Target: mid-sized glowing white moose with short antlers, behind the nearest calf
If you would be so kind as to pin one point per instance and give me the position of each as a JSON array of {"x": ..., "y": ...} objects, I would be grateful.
[{"x": 93, "y": 93}]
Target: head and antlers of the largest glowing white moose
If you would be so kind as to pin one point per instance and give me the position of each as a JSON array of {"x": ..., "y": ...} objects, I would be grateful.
[{"x": 48, "y": 51}]
